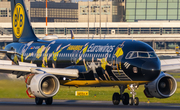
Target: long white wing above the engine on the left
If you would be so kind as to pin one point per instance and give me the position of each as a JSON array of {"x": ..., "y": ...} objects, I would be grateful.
[{"x": 26, "y": 68}]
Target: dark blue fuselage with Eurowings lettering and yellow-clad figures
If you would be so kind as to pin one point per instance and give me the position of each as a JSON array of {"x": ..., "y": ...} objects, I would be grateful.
[{"x": 103, "y": 60}]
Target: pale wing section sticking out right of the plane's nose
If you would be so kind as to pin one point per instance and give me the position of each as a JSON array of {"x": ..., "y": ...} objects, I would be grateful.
[{"x": 170, "y": 64}]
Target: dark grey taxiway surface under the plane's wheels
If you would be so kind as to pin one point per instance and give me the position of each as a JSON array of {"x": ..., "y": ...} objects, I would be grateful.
[{"x": 29, "y": 104}]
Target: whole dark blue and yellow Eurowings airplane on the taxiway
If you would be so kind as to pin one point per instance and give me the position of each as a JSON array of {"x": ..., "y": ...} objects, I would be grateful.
[{"x": 45, "y": 64}]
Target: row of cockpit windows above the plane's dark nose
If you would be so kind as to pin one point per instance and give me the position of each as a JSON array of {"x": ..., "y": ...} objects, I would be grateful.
[{"x": 140, "y": 54}]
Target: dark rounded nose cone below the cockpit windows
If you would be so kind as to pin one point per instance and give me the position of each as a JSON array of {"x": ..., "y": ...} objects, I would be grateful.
[{"x": 151, "y": 69}]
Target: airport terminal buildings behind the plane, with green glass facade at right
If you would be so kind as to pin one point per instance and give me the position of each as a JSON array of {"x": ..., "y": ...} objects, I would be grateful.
[{"x": 156, "y": 22}]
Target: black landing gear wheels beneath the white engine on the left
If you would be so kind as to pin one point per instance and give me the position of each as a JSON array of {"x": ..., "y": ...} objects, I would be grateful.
[{"x": 39, "y": 101}]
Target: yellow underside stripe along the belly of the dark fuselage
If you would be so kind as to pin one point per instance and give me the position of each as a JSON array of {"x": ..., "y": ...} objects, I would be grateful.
[{"x": 79, "y": 83}]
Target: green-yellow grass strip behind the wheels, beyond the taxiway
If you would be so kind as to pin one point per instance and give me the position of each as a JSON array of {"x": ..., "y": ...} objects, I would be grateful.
[{"x": 17, "y": 88}]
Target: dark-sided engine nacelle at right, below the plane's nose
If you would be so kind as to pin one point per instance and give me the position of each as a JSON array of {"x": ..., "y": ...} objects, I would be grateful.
[{"x": 162, "y": 87}]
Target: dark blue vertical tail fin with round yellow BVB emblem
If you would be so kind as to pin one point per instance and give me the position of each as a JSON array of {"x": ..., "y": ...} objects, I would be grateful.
[{"x": 22, "y": 29}]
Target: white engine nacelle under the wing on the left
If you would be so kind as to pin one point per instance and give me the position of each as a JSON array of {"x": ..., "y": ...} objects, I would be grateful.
[{"x": 43, "y": 85}]
